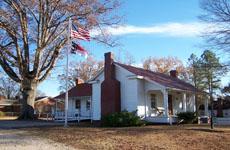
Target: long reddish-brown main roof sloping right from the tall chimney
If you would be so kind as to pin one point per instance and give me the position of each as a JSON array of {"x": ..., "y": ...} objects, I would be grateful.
[{"x": 162, "y": 79}]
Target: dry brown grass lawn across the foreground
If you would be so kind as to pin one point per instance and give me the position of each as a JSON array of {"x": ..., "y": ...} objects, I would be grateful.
[{"x": 149, "y": 137}]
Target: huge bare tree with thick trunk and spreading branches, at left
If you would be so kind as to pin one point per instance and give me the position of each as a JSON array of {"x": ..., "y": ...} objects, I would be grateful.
[{"x": 33, "y": 34}]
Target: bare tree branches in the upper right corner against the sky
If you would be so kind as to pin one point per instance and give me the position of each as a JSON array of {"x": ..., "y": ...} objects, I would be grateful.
[{"x": 217, "y": 14}]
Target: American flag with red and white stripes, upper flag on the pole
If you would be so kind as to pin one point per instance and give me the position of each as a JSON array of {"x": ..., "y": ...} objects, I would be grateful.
[{"x": 80, "y": 33}]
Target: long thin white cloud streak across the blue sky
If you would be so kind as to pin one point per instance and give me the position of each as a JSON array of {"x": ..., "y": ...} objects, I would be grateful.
[{"x": 167, "y": 29}]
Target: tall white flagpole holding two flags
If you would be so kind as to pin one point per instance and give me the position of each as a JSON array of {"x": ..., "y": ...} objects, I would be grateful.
[{"x": 67, "y": 74}]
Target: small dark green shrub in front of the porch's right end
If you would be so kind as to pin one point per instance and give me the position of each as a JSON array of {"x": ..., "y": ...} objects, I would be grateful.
[{"x": 188, "y": 117}]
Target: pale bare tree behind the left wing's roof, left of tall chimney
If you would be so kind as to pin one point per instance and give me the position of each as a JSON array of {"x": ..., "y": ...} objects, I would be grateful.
[{"x": 84, "y": 70}]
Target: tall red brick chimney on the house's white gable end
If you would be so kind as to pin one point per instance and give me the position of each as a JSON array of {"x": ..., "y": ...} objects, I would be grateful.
[{"x": 110, "y": 88}]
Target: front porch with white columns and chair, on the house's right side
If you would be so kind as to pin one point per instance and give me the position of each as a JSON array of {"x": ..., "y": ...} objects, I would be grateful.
[{"x": 162, "y": 106}]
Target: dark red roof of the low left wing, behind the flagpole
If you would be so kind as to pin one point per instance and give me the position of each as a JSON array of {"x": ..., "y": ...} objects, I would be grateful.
[{"x": 83, "y": 89}]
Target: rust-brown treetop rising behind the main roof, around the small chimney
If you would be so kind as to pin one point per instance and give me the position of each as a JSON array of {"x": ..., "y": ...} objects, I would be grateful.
[{"x": 165, "y": 64}]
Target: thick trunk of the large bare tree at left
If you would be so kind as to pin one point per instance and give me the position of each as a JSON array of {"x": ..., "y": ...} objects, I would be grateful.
[{"x": 29, "y": 88}]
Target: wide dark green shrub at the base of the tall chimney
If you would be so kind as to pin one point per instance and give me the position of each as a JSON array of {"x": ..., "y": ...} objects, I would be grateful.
[{"x": 121, "y": 119}]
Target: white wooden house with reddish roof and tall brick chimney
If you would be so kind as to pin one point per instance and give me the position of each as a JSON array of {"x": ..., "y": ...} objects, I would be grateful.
[{"x": 155, "y": 97}]
